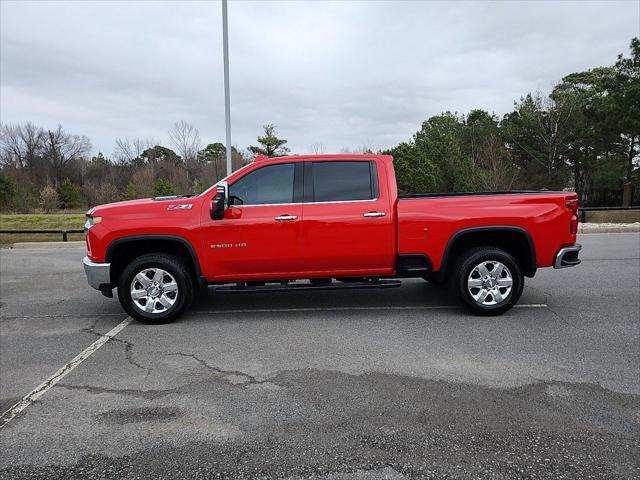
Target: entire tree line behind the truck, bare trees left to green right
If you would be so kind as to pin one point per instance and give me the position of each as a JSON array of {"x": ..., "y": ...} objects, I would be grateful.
[{"x": 584, "y": 135}]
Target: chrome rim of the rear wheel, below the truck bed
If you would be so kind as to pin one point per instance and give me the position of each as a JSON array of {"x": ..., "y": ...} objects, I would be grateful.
[{"x": 490, "y": 283}]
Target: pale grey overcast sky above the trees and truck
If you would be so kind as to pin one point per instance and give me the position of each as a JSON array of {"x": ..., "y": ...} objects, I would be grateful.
[{"x": 344, "y": 74}]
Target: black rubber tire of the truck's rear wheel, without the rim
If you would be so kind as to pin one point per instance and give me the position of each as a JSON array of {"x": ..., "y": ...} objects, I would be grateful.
[{"x": 468, "y": 262}]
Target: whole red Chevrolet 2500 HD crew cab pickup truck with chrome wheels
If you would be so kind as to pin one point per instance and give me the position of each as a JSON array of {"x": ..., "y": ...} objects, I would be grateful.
[{"x": 324, "y": 221}]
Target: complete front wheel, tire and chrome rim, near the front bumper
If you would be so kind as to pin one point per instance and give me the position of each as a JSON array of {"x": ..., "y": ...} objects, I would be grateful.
[{"x": 155, "y": 288}]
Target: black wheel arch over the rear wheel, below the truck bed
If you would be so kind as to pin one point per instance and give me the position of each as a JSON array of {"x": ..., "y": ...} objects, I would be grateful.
[{"x": 515, "y": 240}]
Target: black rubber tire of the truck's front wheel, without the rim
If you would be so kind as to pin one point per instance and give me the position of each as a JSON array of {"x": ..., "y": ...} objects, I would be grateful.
[{"x": 175, "y": 268}]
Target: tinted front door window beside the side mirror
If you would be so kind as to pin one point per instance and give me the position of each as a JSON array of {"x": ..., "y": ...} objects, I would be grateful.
[{"x": 272, "y": 184}]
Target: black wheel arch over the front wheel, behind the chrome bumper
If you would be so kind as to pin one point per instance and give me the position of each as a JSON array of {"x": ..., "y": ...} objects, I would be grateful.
[{"x": 122, "y": 250}]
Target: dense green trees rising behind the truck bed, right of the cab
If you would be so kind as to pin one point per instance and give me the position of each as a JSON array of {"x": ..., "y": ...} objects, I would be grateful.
[{"x": 584, "y": 135}]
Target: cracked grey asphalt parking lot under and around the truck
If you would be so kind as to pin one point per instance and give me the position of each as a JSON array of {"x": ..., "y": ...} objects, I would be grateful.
[{"x": 396, "y": 383}]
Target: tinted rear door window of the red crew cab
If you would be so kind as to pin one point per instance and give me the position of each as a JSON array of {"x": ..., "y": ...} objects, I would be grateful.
[{"x": 341, "y": 181}]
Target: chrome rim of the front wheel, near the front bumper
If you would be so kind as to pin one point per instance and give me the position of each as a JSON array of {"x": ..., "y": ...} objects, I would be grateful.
[{"x": 154, "y": 290}]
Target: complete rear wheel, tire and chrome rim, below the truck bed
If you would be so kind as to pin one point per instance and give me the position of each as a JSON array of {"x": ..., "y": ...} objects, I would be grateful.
[{"x": 488, "y": 280}]
